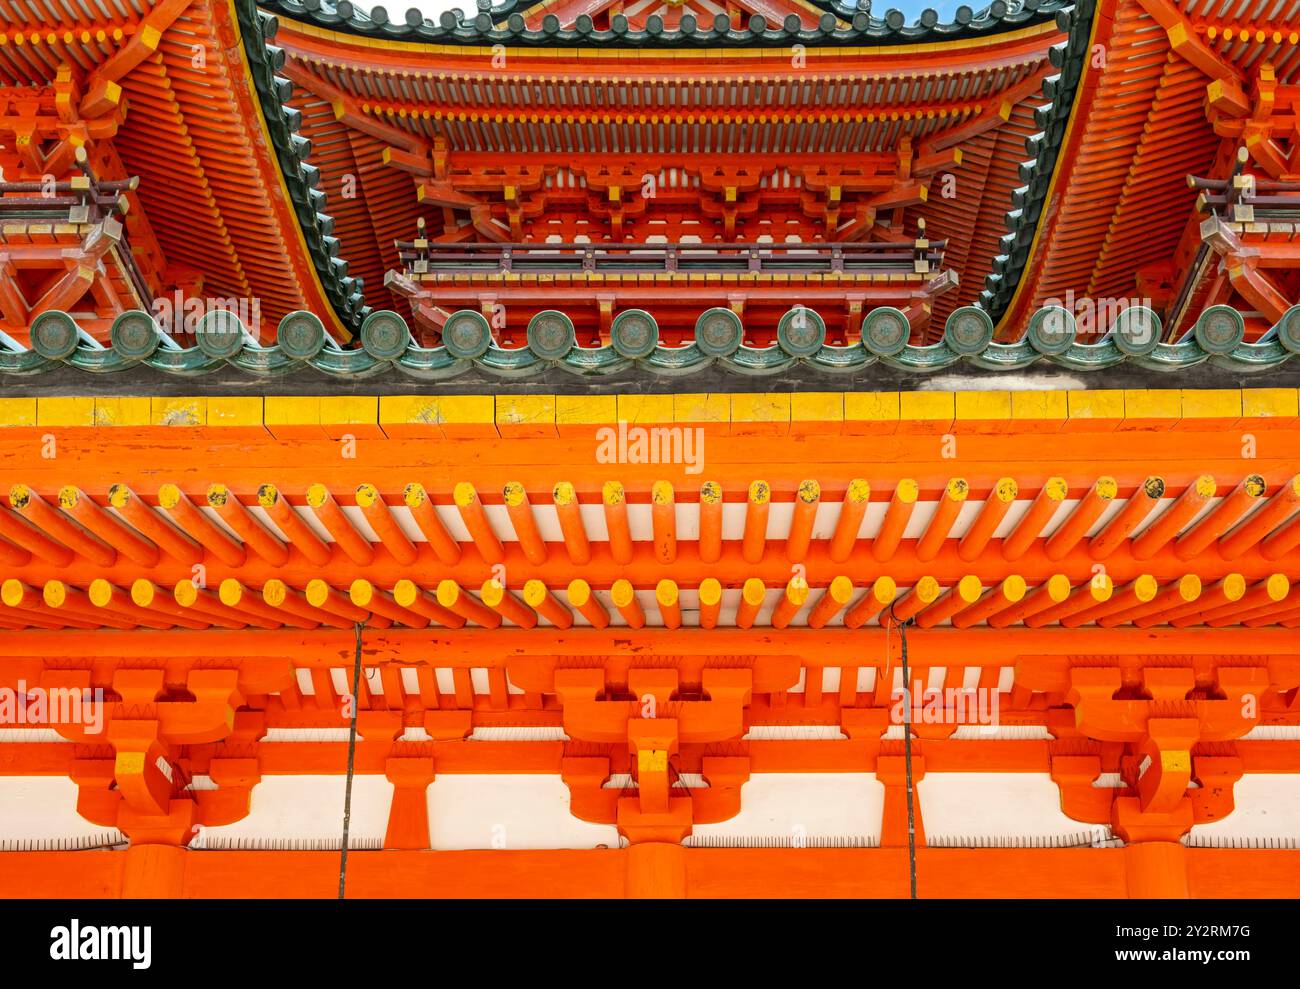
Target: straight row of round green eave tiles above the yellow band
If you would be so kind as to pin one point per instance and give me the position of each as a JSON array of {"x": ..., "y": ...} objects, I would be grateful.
[{"x": 1133, "y": 336}]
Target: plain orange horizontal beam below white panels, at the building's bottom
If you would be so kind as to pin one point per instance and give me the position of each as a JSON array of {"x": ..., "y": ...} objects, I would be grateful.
[{"x": 705, "y": 873}]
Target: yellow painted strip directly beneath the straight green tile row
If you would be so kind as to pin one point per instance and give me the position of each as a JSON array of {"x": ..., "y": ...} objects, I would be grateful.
[{"x": 746, "y": 413}]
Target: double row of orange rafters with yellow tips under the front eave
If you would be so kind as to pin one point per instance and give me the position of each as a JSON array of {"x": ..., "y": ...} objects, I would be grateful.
[{"x": 1141, "y": 549}]
